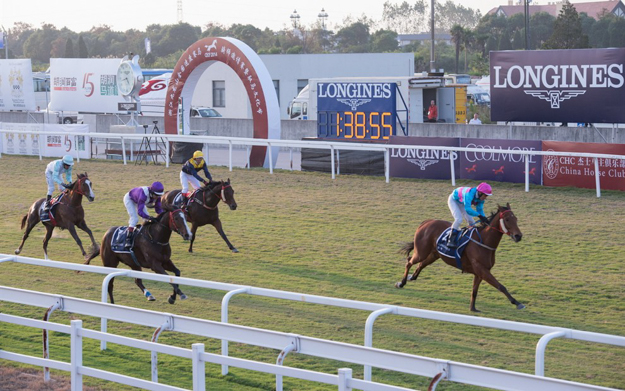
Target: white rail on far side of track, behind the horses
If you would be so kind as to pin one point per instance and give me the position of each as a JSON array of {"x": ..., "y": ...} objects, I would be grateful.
[{"x": 327, "y": 145}]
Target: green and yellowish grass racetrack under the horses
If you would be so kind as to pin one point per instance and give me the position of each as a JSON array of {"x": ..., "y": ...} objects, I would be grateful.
[{"x": 304, "y": 232}]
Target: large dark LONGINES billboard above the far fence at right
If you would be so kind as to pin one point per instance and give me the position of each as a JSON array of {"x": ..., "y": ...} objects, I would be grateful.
[{"x": 580, "y": 85}]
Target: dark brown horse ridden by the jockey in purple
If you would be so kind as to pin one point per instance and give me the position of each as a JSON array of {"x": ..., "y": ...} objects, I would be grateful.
[{"x": 151, "y": 250}]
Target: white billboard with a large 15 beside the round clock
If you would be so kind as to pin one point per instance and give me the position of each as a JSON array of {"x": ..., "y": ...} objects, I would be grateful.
[{"x": 86, "y": 85}]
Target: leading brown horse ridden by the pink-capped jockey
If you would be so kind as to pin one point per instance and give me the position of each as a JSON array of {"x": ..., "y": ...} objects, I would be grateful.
[{"x": 478, "y": 257}]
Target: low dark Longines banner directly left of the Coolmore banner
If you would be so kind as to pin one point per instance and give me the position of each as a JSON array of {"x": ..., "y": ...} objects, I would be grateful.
[{"x": 422, "y": 163}]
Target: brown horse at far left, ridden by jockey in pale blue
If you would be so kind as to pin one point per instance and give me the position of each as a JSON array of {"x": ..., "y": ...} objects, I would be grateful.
[{"x": 68, "y": 214}]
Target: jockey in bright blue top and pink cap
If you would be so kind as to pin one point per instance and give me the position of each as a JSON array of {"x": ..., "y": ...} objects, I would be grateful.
[{"x": 460, "y": 203}]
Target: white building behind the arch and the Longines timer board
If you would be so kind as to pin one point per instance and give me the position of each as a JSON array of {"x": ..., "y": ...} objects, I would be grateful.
[{"x": 220, "y": 88}]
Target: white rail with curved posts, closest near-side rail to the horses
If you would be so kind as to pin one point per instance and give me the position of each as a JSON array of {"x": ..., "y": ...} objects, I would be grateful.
[{"x": 547, "y": 332}]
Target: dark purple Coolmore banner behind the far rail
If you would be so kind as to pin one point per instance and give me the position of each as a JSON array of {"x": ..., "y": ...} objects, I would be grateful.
[{"x": 502, "y": 167}]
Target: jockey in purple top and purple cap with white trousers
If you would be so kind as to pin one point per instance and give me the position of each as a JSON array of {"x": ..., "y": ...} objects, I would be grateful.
[{"x": 135, "y": 201}]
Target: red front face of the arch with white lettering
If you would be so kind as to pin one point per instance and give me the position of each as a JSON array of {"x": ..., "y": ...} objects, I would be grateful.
[{"x": 232, "y": 53}]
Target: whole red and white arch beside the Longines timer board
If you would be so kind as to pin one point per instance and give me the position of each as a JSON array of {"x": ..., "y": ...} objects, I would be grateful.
[{"x": 252, "y": 73}]
